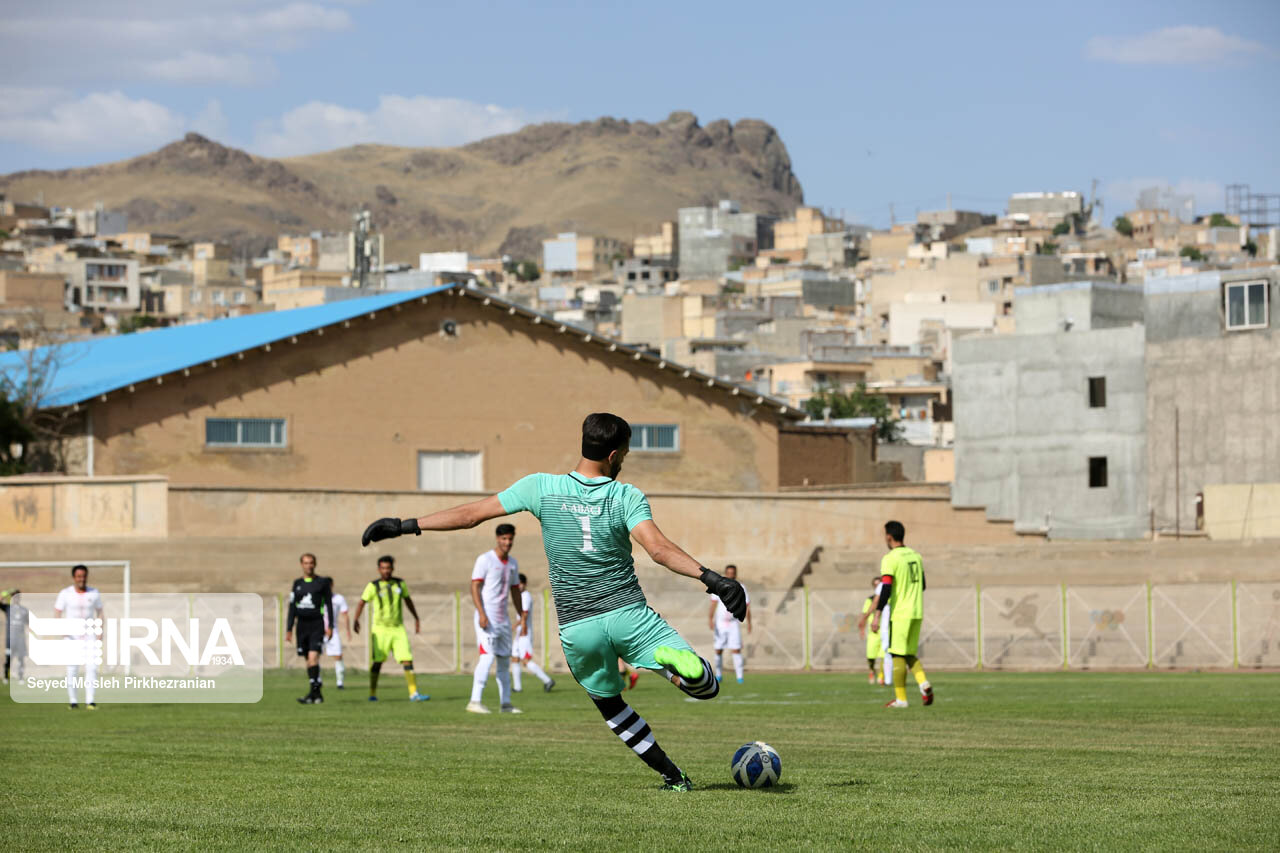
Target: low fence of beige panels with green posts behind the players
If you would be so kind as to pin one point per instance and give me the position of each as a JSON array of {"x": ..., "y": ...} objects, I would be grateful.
[{"x": 999, "y": 627}]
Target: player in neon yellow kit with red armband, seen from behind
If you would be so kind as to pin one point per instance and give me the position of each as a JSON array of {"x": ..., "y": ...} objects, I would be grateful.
[{"x": 903, "y": 591}]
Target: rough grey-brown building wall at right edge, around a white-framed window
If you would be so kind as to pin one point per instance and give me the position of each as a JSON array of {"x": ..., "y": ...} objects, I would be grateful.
[{"x": 1224, "y": 387}]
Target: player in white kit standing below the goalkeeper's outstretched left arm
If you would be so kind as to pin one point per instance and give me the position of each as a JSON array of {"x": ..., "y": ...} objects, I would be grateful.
[{"x": 495, "y": 577}]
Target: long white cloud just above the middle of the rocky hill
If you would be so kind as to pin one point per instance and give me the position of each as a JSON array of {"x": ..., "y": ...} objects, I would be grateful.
[{"x": 418, "y": 121}]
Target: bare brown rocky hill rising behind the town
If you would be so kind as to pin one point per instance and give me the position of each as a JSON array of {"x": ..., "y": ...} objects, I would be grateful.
[{"x": 499, "y": 195}]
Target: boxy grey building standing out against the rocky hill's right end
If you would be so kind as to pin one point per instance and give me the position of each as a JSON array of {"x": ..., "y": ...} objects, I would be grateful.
[{"x": 716, "y": 240}]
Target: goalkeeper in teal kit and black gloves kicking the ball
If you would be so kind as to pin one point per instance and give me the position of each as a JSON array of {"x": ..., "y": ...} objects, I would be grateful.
[{"x": 588, "y": 523}]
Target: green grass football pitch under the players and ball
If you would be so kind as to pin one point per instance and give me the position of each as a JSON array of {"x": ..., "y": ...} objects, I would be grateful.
[{"x": 1188, "y": 761}]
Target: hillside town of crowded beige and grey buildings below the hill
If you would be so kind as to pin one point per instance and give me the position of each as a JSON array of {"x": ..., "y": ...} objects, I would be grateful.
[{"x": 926, "y": 336}]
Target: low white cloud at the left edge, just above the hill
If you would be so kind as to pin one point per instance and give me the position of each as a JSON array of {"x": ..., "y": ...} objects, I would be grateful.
[{"x": 99, "y": 121}]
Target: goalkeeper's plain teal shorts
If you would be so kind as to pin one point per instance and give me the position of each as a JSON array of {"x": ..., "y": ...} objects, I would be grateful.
[{"x": 595, "y": 645}]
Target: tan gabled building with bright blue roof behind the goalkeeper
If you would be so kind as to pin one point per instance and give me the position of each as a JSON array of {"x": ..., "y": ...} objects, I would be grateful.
[{"x": 253, "y": 402}]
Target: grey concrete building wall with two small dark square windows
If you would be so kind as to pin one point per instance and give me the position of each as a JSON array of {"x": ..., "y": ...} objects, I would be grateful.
[{"x": 1026, "y": 432}]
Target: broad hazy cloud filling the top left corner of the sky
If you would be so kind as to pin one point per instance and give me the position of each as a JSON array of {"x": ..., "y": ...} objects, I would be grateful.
[{"x": 216, "y": 42}]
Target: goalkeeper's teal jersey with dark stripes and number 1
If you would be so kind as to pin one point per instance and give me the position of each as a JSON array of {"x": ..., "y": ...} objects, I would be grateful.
[{"x": 587, "y": 532}]
